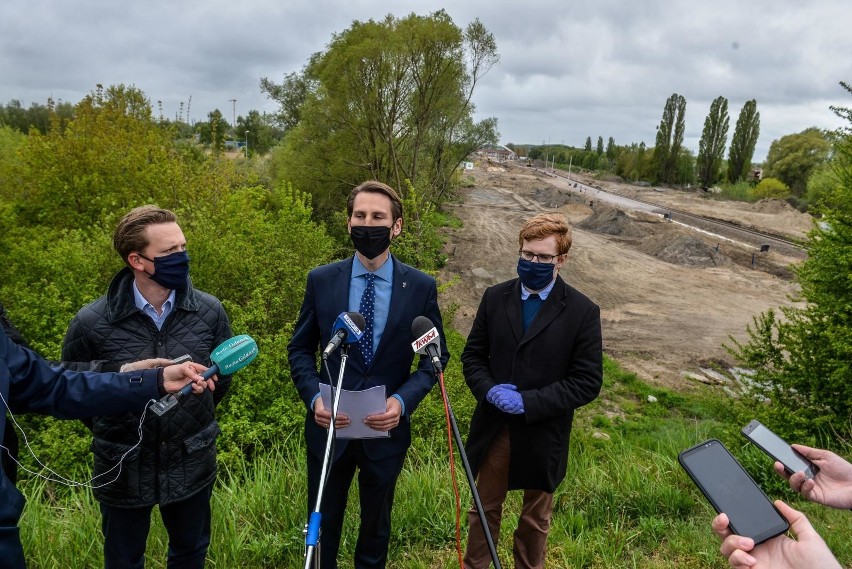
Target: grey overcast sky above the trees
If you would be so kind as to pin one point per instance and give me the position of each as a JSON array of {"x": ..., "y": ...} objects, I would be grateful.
[{"x": 567, "y": 69}]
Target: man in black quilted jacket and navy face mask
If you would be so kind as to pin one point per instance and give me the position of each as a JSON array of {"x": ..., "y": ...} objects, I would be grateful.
[{"x": 152, "y": 310}]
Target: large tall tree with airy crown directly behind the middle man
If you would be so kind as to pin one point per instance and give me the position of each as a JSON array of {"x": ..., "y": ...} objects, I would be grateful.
[{"x": 389, "y": 100}]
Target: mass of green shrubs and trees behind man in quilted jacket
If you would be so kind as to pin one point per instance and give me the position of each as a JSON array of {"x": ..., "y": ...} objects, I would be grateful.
[{"x": 61, "y": 194}]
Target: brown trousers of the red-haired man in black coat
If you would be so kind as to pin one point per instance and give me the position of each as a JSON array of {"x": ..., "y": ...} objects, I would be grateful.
[{"x": 492, "y": 483}]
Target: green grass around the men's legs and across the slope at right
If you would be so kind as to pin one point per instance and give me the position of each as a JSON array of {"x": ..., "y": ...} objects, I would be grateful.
[{"x": 625, "y": 502}]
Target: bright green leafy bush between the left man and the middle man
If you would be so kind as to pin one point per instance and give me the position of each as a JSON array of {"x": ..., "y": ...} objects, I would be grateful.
[{"x": 256, "y": 261}]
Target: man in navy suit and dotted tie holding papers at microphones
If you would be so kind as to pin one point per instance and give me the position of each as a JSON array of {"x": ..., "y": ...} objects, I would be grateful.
[{"x": 390, "y": 295}]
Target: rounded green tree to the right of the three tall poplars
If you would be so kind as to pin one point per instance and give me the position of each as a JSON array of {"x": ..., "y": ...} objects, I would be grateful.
[{"x": 792, "y": 158}]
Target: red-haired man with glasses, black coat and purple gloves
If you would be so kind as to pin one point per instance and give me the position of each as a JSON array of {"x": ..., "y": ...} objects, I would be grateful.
[{"x": 534, "y": 354}]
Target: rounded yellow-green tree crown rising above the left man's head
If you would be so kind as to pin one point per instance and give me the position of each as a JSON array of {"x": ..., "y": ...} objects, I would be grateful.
[{"x": 112, "y": 156}]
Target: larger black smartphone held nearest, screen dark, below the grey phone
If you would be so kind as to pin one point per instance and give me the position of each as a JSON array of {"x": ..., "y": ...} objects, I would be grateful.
[{"x": 730, "y": 489}]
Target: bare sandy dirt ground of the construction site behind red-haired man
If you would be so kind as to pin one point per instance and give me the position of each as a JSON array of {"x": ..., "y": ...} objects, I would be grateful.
[{"x": 669, "y": 297}]
